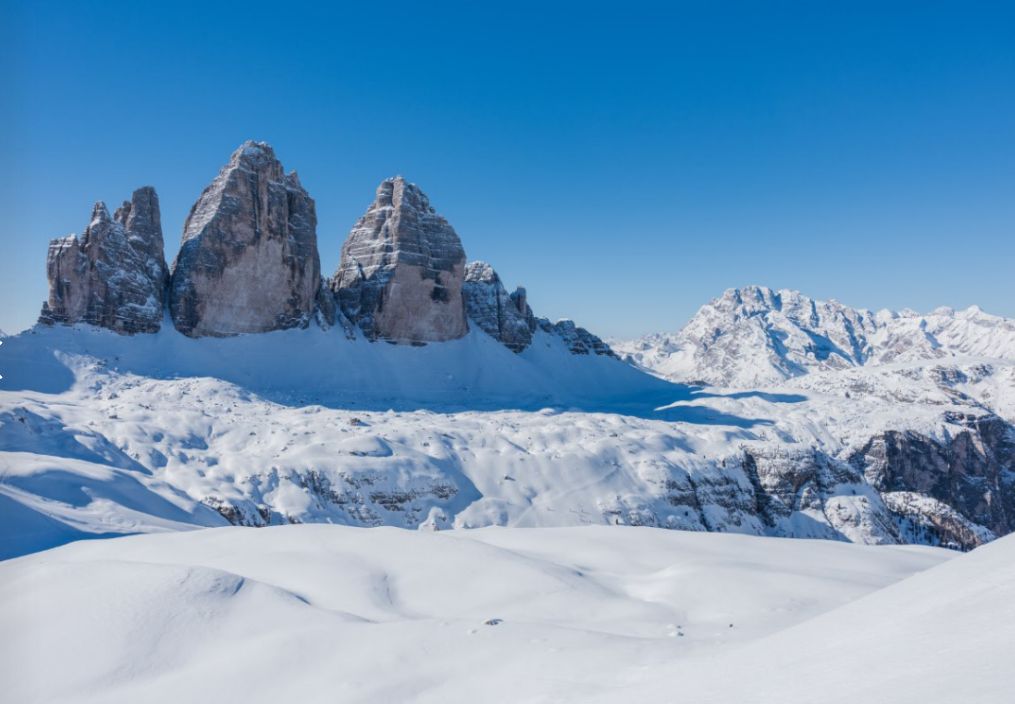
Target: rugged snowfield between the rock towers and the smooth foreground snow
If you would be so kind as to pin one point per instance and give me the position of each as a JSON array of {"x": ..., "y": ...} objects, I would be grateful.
[{"x": 105, "y": 436}]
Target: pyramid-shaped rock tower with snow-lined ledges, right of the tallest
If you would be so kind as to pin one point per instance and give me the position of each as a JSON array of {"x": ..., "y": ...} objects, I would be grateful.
[{"x": 402, "y": 268}]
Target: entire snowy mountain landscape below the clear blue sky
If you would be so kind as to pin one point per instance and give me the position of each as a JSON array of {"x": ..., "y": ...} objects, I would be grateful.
[{"x": 413, "y": 391}]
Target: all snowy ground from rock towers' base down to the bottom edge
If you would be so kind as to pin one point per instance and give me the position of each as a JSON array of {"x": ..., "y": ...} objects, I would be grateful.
[{"x": 103, "y": 436}]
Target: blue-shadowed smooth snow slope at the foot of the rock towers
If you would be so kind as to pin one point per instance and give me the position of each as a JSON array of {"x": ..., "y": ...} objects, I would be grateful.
[{"x": 313, "y": 366}]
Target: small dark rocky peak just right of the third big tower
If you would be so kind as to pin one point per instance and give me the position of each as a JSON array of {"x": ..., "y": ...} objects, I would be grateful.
[{"x": 505, "y": 317}]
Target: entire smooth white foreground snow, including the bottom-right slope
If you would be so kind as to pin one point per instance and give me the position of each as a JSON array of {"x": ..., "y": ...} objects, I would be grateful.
[{"x": 325, "y": 614}]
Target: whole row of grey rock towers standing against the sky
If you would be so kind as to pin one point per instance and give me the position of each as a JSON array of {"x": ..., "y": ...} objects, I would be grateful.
[{"x": 249, "y": 263}]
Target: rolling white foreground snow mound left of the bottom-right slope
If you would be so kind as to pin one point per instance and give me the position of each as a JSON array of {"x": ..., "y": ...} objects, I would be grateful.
[{"x": 325, "y": 614}]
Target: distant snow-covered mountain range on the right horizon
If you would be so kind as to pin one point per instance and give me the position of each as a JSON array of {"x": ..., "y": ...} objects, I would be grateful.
[{"x": 757, "y": 337}]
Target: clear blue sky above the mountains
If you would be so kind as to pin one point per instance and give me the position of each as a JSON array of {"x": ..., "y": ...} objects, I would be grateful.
[{"x": 627, "y": 163}]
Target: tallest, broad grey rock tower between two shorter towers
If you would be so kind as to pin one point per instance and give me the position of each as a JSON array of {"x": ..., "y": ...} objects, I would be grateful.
[{"x": 249, "y": 262}]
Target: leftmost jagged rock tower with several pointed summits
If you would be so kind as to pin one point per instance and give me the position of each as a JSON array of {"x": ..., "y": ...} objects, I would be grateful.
[{"x": 115, "y": 274}]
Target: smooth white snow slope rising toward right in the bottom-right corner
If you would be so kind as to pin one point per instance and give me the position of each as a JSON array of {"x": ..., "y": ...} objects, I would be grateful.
[{"x": 944, "y": 636}]
